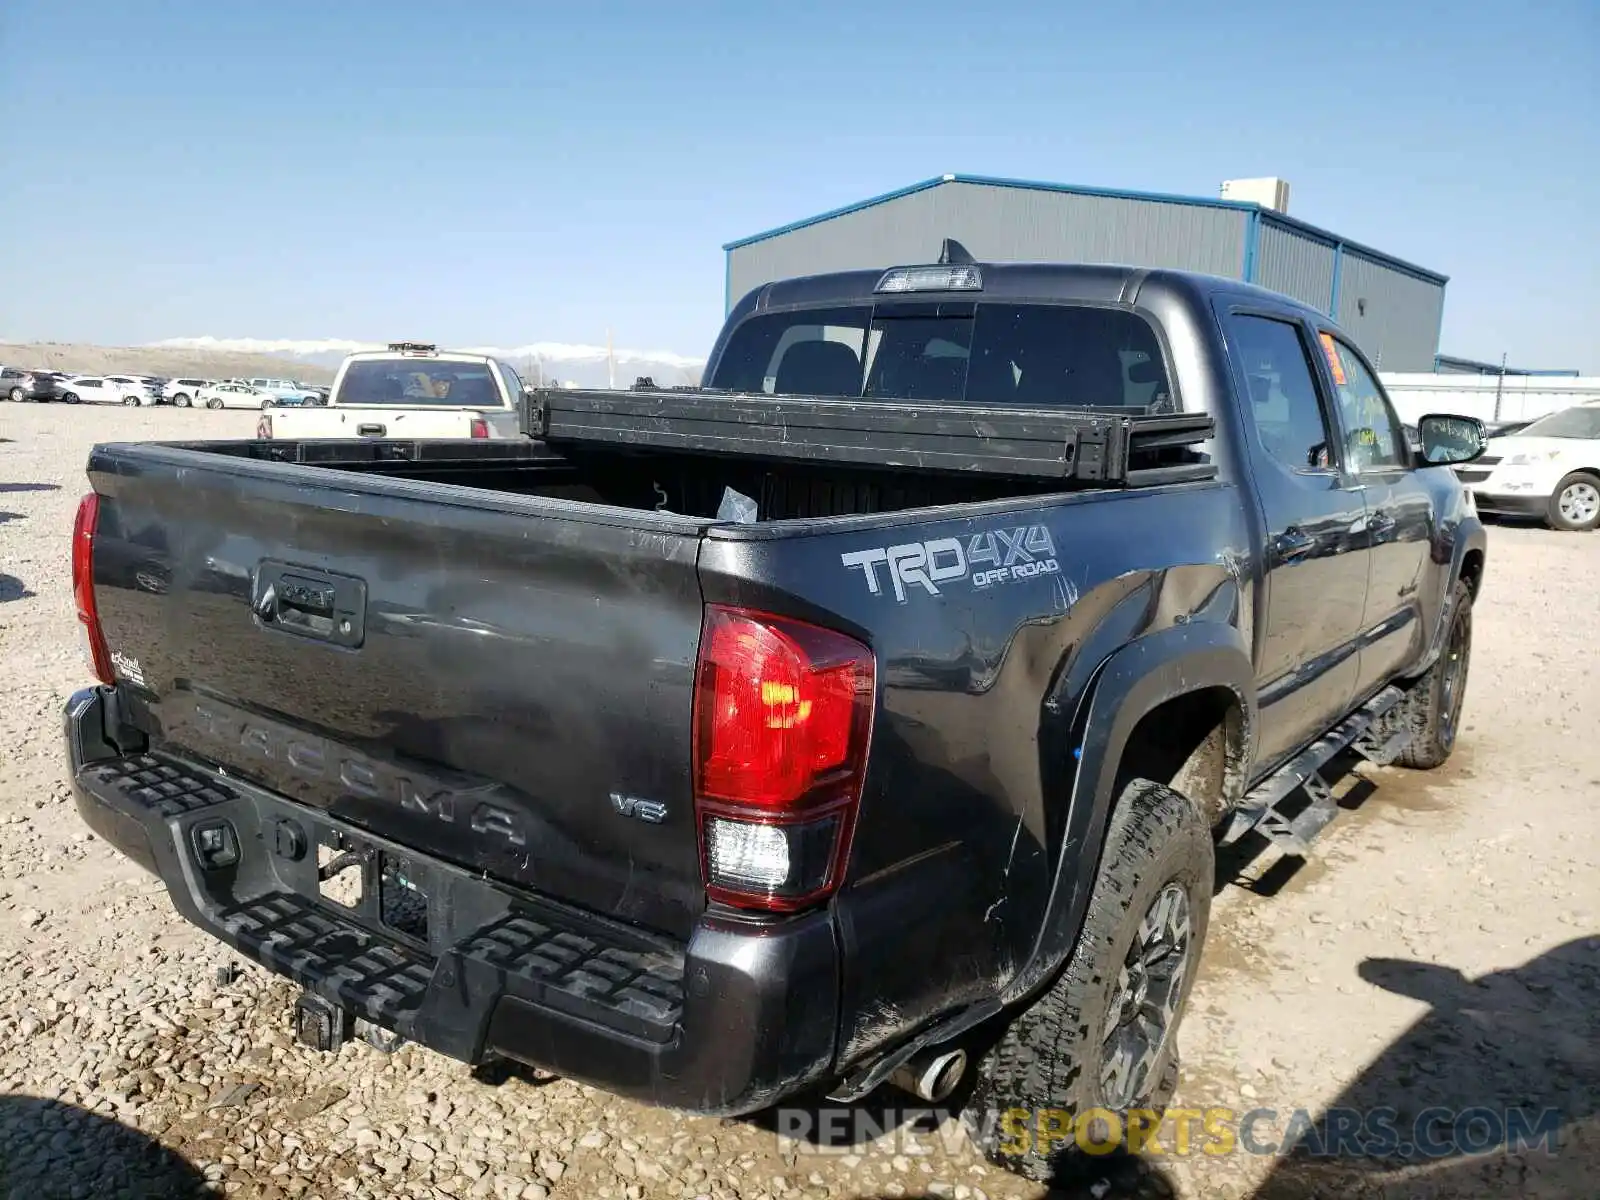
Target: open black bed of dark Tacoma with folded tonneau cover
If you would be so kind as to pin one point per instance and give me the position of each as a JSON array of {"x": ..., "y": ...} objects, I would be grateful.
[{"x": 647, "y": 452}]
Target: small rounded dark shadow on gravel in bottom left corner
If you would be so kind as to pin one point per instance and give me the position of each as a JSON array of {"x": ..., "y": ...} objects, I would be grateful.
[{"x": 54, "y": 1150}]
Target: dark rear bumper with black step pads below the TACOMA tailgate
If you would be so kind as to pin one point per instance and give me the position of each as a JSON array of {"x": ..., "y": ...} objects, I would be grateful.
[{"x": 729, "y": 1023}]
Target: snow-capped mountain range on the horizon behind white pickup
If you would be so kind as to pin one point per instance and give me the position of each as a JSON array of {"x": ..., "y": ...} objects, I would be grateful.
[{"x": 538, "y": 362}]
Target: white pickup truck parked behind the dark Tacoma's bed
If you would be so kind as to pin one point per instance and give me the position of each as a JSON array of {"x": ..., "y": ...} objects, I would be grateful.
[{"x": 409, "y": 391}]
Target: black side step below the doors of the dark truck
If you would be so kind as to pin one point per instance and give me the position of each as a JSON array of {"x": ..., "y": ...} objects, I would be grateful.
[{"x": 1295, "y": 834}]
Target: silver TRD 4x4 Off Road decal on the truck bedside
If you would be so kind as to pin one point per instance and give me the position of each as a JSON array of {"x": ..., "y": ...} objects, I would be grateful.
[{"x": 983, "y": 559}]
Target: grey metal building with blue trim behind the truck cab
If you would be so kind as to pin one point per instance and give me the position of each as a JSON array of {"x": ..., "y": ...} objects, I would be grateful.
[{"x": 1390, "y": 306}]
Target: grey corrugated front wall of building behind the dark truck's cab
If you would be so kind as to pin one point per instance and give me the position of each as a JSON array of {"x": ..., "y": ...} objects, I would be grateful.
[{"x": 1001, "y": 225}]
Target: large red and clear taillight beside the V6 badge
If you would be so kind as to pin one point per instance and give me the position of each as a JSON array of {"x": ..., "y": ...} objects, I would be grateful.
[{"x": 783, "y": 716}]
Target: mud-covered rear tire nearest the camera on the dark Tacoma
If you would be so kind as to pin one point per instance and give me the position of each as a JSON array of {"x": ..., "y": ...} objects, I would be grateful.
[{"x": 1049, "y": 1070}]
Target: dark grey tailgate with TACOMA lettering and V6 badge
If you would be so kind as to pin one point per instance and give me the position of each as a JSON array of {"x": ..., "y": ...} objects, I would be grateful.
[{"x": 500, "y": 681}]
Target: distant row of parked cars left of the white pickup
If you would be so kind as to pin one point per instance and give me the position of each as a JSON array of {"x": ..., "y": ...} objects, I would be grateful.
[{"x": 41, "y": 386}]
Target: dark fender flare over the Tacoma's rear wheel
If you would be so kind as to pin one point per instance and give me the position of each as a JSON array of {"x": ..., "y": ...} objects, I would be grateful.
[{"x": 1130, "y": 684}]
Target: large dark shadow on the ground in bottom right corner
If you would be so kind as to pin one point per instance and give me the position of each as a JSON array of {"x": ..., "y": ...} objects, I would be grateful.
[{"x": 1494, "y": 1092}]
